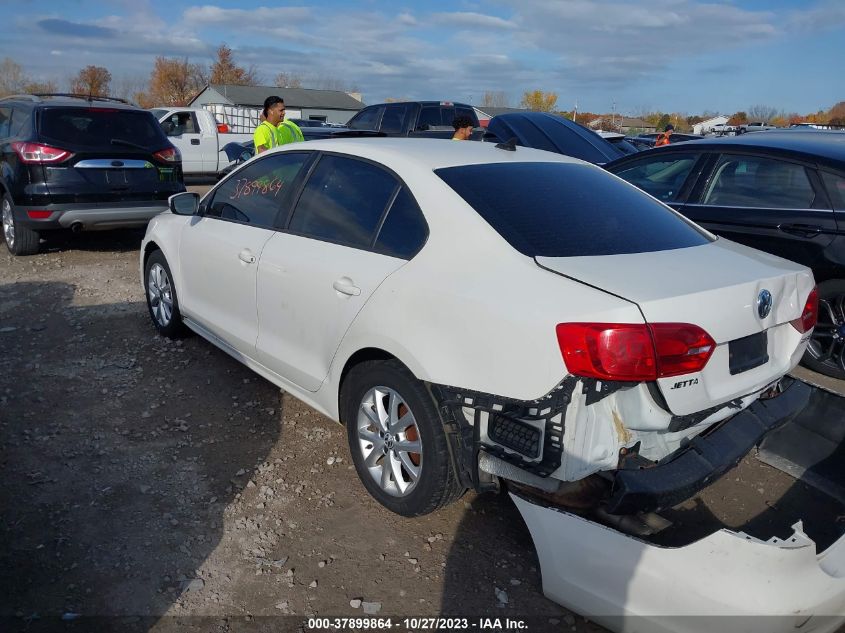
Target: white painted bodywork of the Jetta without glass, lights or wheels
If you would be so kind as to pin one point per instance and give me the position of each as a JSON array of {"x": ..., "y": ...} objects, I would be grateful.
[{"x": 476, "y": 314}]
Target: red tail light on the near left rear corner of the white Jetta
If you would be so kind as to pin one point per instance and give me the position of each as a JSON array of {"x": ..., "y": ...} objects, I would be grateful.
[{"x": 633, "y": 352}]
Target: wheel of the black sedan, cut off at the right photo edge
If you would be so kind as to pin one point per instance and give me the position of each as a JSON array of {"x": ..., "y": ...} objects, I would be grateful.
[{"x": 826, "y": 351}]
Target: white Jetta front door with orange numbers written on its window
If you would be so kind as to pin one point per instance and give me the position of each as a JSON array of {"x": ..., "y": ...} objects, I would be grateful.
[{"x": 219, "y": 250}]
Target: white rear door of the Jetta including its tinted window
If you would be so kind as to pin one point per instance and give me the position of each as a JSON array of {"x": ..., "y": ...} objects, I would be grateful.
[{"x": 316, "y": 276}]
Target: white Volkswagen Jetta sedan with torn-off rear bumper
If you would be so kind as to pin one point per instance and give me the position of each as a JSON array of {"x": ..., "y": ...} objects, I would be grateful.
[{"x": 474, "y": 313}]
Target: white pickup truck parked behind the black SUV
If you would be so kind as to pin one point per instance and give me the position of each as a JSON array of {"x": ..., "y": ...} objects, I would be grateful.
[{"x": 199, "y": 137}]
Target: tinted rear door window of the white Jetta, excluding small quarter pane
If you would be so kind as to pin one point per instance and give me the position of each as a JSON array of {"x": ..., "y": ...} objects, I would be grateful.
[{"x": 343, "y": 201}]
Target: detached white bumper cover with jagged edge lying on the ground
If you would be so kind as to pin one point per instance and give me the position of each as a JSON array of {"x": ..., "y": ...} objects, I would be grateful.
[{"x": 716, "y": 583}]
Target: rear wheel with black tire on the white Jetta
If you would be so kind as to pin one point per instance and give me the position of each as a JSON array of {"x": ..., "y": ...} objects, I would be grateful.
[{"x": 383, "y": 449}]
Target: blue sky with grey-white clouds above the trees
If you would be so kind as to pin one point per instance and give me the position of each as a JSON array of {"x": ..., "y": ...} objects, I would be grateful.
[{"x": 670, "y": 55}]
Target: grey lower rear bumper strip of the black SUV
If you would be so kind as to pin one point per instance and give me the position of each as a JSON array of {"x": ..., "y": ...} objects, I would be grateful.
[{"x": 109, "y": 215}]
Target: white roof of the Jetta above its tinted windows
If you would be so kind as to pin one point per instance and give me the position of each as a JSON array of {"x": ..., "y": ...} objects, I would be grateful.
[{"x": 429, "y": 154}]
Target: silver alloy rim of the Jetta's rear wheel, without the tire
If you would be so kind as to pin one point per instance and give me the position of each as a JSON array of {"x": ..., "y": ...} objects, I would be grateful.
[{"x": 389, "y": 440}]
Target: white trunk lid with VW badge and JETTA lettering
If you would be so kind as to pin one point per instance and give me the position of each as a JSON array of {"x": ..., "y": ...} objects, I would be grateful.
[{"x": 715, "y": 286}]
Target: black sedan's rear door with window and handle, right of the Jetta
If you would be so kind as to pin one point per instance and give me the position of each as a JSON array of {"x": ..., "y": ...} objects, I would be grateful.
[{"x": 769, "y": 203}]
